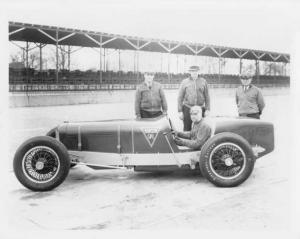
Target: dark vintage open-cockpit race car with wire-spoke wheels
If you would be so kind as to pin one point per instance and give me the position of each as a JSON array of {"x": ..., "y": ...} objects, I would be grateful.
[{"x": 226, "y": 159}]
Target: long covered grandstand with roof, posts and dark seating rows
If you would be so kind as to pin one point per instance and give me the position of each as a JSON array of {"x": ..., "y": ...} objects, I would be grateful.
[{"x": 23, "y": 78}]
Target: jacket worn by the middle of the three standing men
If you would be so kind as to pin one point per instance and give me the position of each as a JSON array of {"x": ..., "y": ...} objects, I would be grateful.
[{"x": 193, "y": 92}]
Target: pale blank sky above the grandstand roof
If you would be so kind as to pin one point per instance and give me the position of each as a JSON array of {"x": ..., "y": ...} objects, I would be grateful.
[{"x": 262, "y": 25}]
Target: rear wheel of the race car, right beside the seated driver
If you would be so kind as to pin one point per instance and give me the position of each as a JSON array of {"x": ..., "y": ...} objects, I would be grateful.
[{"x": 226, "y": 160}]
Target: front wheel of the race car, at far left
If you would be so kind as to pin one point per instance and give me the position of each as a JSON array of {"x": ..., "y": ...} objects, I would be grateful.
[{"x": 41, "y": 163}]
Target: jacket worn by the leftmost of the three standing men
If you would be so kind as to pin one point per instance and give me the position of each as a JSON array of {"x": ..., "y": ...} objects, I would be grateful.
[{"x": 150, "y": 99}]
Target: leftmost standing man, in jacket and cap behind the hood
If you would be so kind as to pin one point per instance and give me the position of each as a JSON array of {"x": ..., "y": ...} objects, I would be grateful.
[{"x": 150, "y": 100}]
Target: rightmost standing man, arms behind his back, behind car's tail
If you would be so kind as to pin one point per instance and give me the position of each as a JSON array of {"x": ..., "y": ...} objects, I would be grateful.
[{"x": 249, "y": 99}]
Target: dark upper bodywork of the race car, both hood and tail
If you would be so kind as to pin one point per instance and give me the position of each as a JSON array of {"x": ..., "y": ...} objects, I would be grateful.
[{"x": 149, "y": 136}]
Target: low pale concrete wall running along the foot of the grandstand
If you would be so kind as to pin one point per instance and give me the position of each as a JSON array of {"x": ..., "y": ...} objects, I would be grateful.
[{"x": 47, "y": 98}]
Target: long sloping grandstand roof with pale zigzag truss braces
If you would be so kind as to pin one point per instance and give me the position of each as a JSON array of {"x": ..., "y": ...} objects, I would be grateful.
[{"x": 74, "y": 37}]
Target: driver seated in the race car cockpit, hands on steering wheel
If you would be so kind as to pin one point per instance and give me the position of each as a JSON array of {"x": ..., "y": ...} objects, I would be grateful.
[{"x": 199, "y": 134}]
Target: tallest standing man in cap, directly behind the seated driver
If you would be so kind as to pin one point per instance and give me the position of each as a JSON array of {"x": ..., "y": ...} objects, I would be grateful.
[{"x": 192, "y": 91}]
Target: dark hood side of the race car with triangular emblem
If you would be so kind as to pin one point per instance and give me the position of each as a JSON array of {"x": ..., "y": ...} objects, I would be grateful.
[{"x": 122, "y": 136}]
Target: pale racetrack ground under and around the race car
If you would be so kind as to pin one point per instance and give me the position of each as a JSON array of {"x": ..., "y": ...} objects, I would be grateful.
[{"x": 123, "y": 199}]
